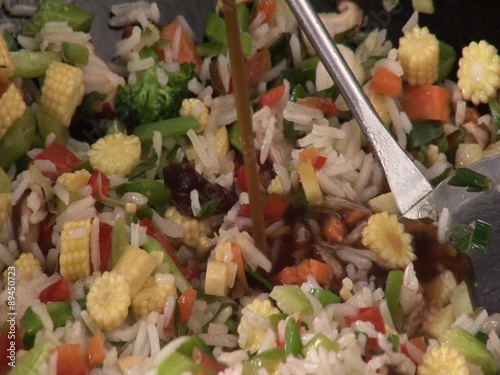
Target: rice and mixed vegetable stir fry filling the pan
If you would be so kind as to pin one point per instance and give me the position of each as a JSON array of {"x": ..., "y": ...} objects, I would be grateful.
[{"x": 125, "y": 234}]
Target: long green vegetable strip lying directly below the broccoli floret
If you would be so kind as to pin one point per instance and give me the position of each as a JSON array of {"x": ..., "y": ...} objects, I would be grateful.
[{"x": 174, "y": 127}]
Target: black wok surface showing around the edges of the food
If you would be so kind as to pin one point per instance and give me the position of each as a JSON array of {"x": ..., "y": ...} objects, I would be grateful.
[{"x": 456, "y": 22}]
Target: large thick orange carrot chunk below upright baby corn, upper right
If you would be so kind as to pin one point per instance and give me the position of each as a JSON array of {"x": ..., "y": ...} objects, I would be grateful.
[{"x": 427, "y": 102}]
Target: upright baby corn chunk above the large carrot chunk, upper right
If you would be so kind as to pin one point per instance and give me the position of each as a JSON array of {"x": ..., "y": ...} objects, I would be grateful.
[{"x": 418, "y": 53}]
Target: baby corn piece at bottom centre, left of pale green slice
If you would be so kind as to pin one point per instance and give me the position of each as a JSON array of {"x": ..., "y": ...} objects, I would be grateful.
[{"x": 251, "y": 331}]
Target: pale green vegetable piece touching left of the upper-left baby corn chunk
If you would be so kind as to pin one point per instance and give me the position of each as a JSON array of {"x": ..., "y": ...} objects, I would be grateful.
[{"x": 32, "y": 64}]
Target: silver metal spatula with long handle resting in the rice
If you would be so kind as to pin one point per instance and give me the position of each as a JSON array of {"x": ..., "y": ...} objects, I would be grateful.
[{"x": 414, "y": 195}]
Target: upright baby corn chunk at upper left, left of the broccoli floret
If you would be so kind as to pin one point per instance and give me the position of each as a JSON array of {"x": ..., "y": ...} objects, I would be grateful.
[{"x": 62, "y": 91}]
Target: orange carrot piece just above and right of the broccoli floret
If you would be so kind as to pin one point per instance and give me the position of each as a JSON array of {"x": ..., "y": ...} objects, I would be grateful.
[{"x": 187, "y": 51}]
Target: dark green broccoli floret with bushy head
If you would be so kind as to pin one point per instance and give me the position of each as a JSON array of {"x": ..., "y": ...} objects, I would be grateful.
[{"x": 149, "y": 101}]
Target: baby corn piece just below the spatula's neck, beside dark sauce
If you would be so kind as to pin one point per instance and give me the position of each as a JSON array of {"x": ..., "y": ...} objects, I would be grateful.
[{"x": 386, "y": 237}]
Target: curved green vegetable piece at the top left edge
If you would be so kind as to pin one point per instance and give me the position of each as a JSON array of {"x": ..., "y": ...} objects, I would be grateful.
[{"x": 58, "y": 11}]
